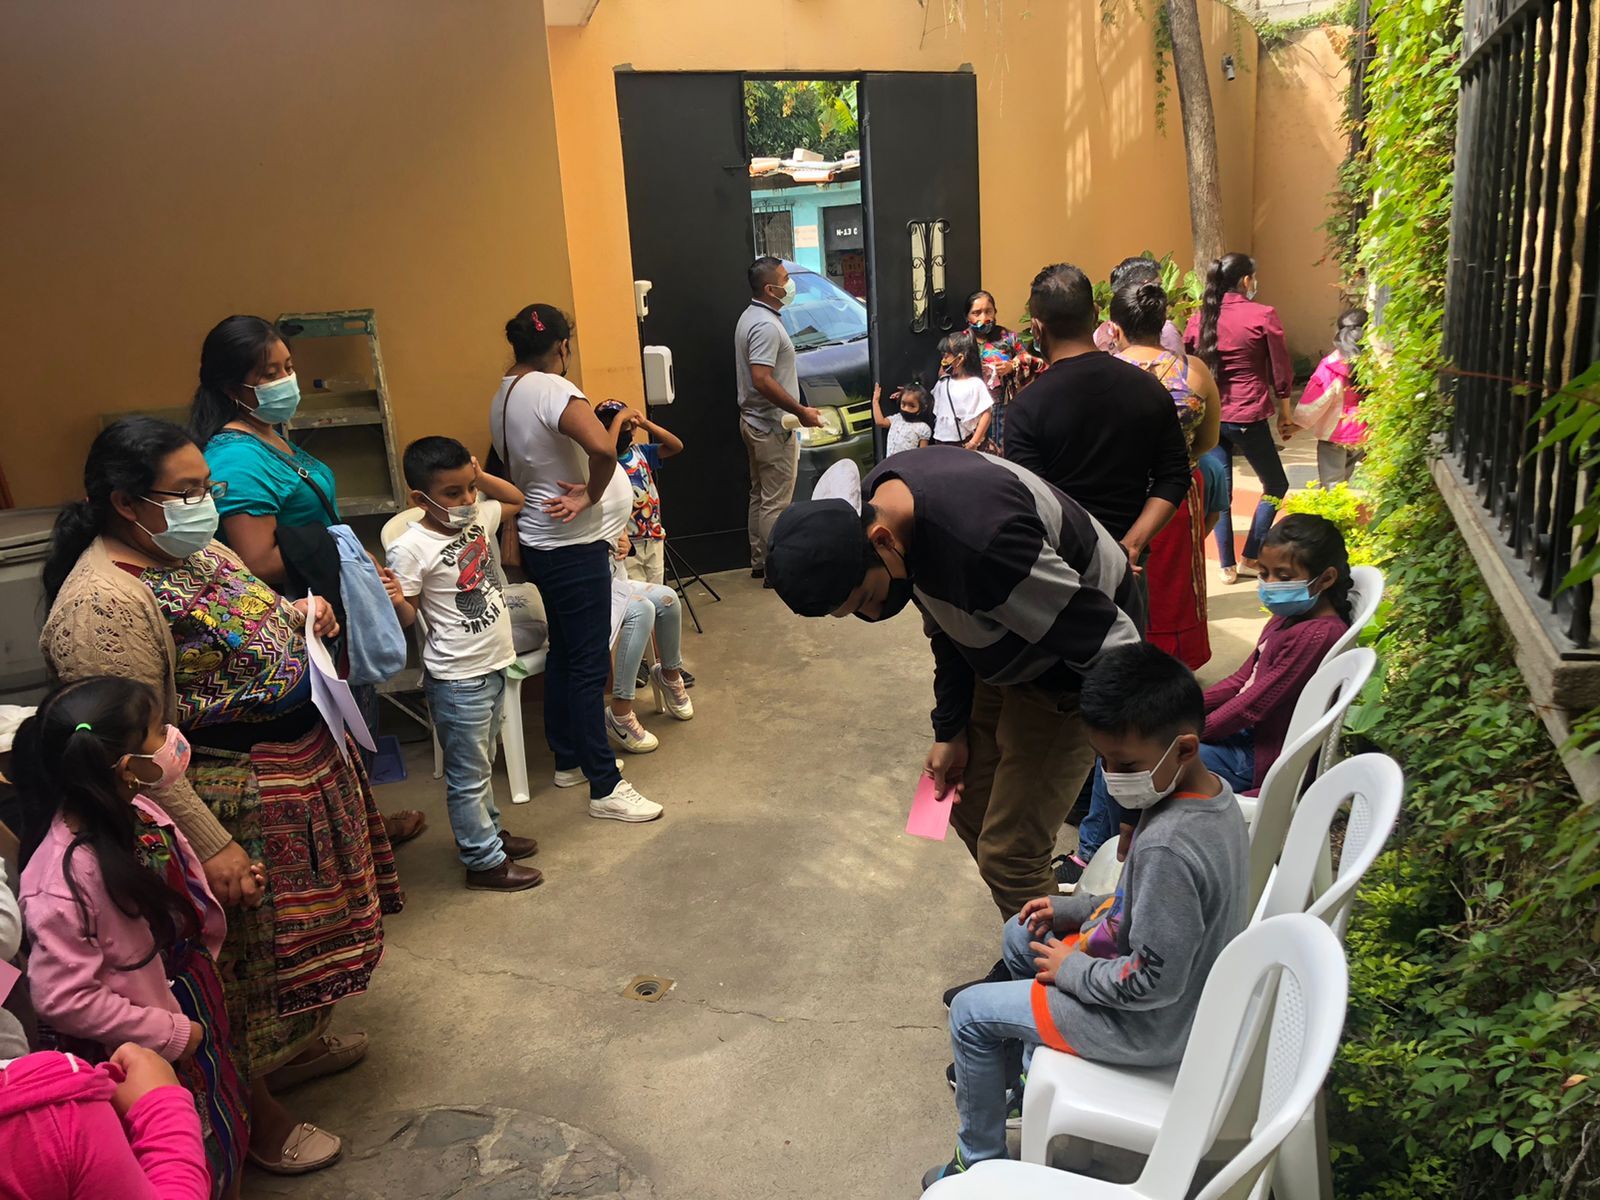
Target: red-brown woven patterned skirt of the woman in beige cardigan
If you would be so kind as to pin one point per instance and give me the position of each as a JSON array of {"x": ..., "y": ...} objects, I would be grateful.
[{"x": 308, "y": 814}]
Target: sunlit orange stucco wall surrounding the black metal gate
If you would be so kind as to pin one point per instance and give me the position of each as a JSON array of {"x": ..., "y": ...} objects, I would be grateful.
[{"x": 1073, "y": 166}]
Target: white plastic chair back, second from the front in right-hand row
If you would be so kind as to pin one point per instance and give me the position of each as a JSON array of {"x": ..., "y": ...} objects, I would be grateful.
[{"x": 1374, "y": 785}]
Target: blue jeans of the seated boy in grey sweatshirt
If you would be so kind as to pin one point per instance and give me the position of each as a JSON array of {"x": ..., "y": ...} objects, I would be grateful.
[{"x": 993, "y": 1034}]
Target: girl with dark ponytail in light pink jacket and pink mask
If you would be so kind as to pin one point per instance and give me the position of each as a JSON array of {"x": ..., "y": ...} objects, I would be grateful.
[{"x": 122, "y": 929}]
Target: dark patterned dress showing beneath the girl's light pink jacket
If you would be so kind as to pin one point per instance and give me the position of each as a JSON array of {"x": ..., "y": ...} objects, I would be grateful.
[{"x": 217, "y": 1073}]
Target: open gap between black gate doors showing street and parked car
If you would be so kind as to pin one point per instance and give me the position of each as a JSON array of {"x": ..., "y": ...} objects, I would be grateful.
[{"x": 802, "y": 140}]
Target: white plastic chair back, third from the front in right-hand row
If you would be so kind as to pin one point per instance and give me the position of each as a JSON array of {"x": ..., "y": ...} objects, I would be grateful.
[{"x": 1321, "y": 710}]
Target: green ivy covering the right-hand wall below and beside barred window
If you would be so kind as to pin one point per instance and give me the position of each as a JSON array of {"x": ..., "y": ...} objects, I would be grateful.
[{"x": 1473, "y": 1049}]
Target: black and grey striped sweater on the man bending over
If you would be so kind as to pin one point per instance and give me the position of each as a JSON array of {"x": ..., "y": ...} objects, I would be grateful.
[{"x": 1017, "y": 583}]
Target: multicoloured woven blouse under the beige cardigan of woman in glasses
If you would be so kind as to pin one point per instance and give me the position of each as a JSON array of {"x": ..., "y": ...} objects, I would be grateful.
[{"x": 241, "y": 655}]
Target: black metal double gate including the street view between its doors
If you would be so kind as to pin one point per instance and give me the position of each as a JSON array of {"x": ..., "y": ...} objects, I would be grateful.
[{"x": 850, "y": 214}]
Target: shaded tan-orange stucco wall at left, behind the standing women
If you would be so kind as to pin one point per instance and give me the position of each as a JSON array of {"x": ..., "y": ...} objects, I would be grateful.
[{"x": 170, "y": 164}]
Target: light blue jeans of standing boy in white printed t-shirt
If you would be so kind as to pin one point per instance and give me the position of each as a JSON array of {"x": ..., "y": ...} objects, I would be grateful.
[{"x": 466, "y": 718}]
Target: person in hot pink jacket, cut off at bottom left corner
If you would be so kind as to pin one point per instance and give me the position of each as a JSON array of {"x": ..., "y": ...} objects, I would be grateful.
[{"x": 76, "y": 1132}]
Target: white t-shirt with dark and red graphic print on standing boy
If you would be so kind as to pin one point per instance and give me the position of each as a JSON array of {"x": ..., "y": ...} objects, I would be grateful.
[{"x": 462, "y": 601}]
